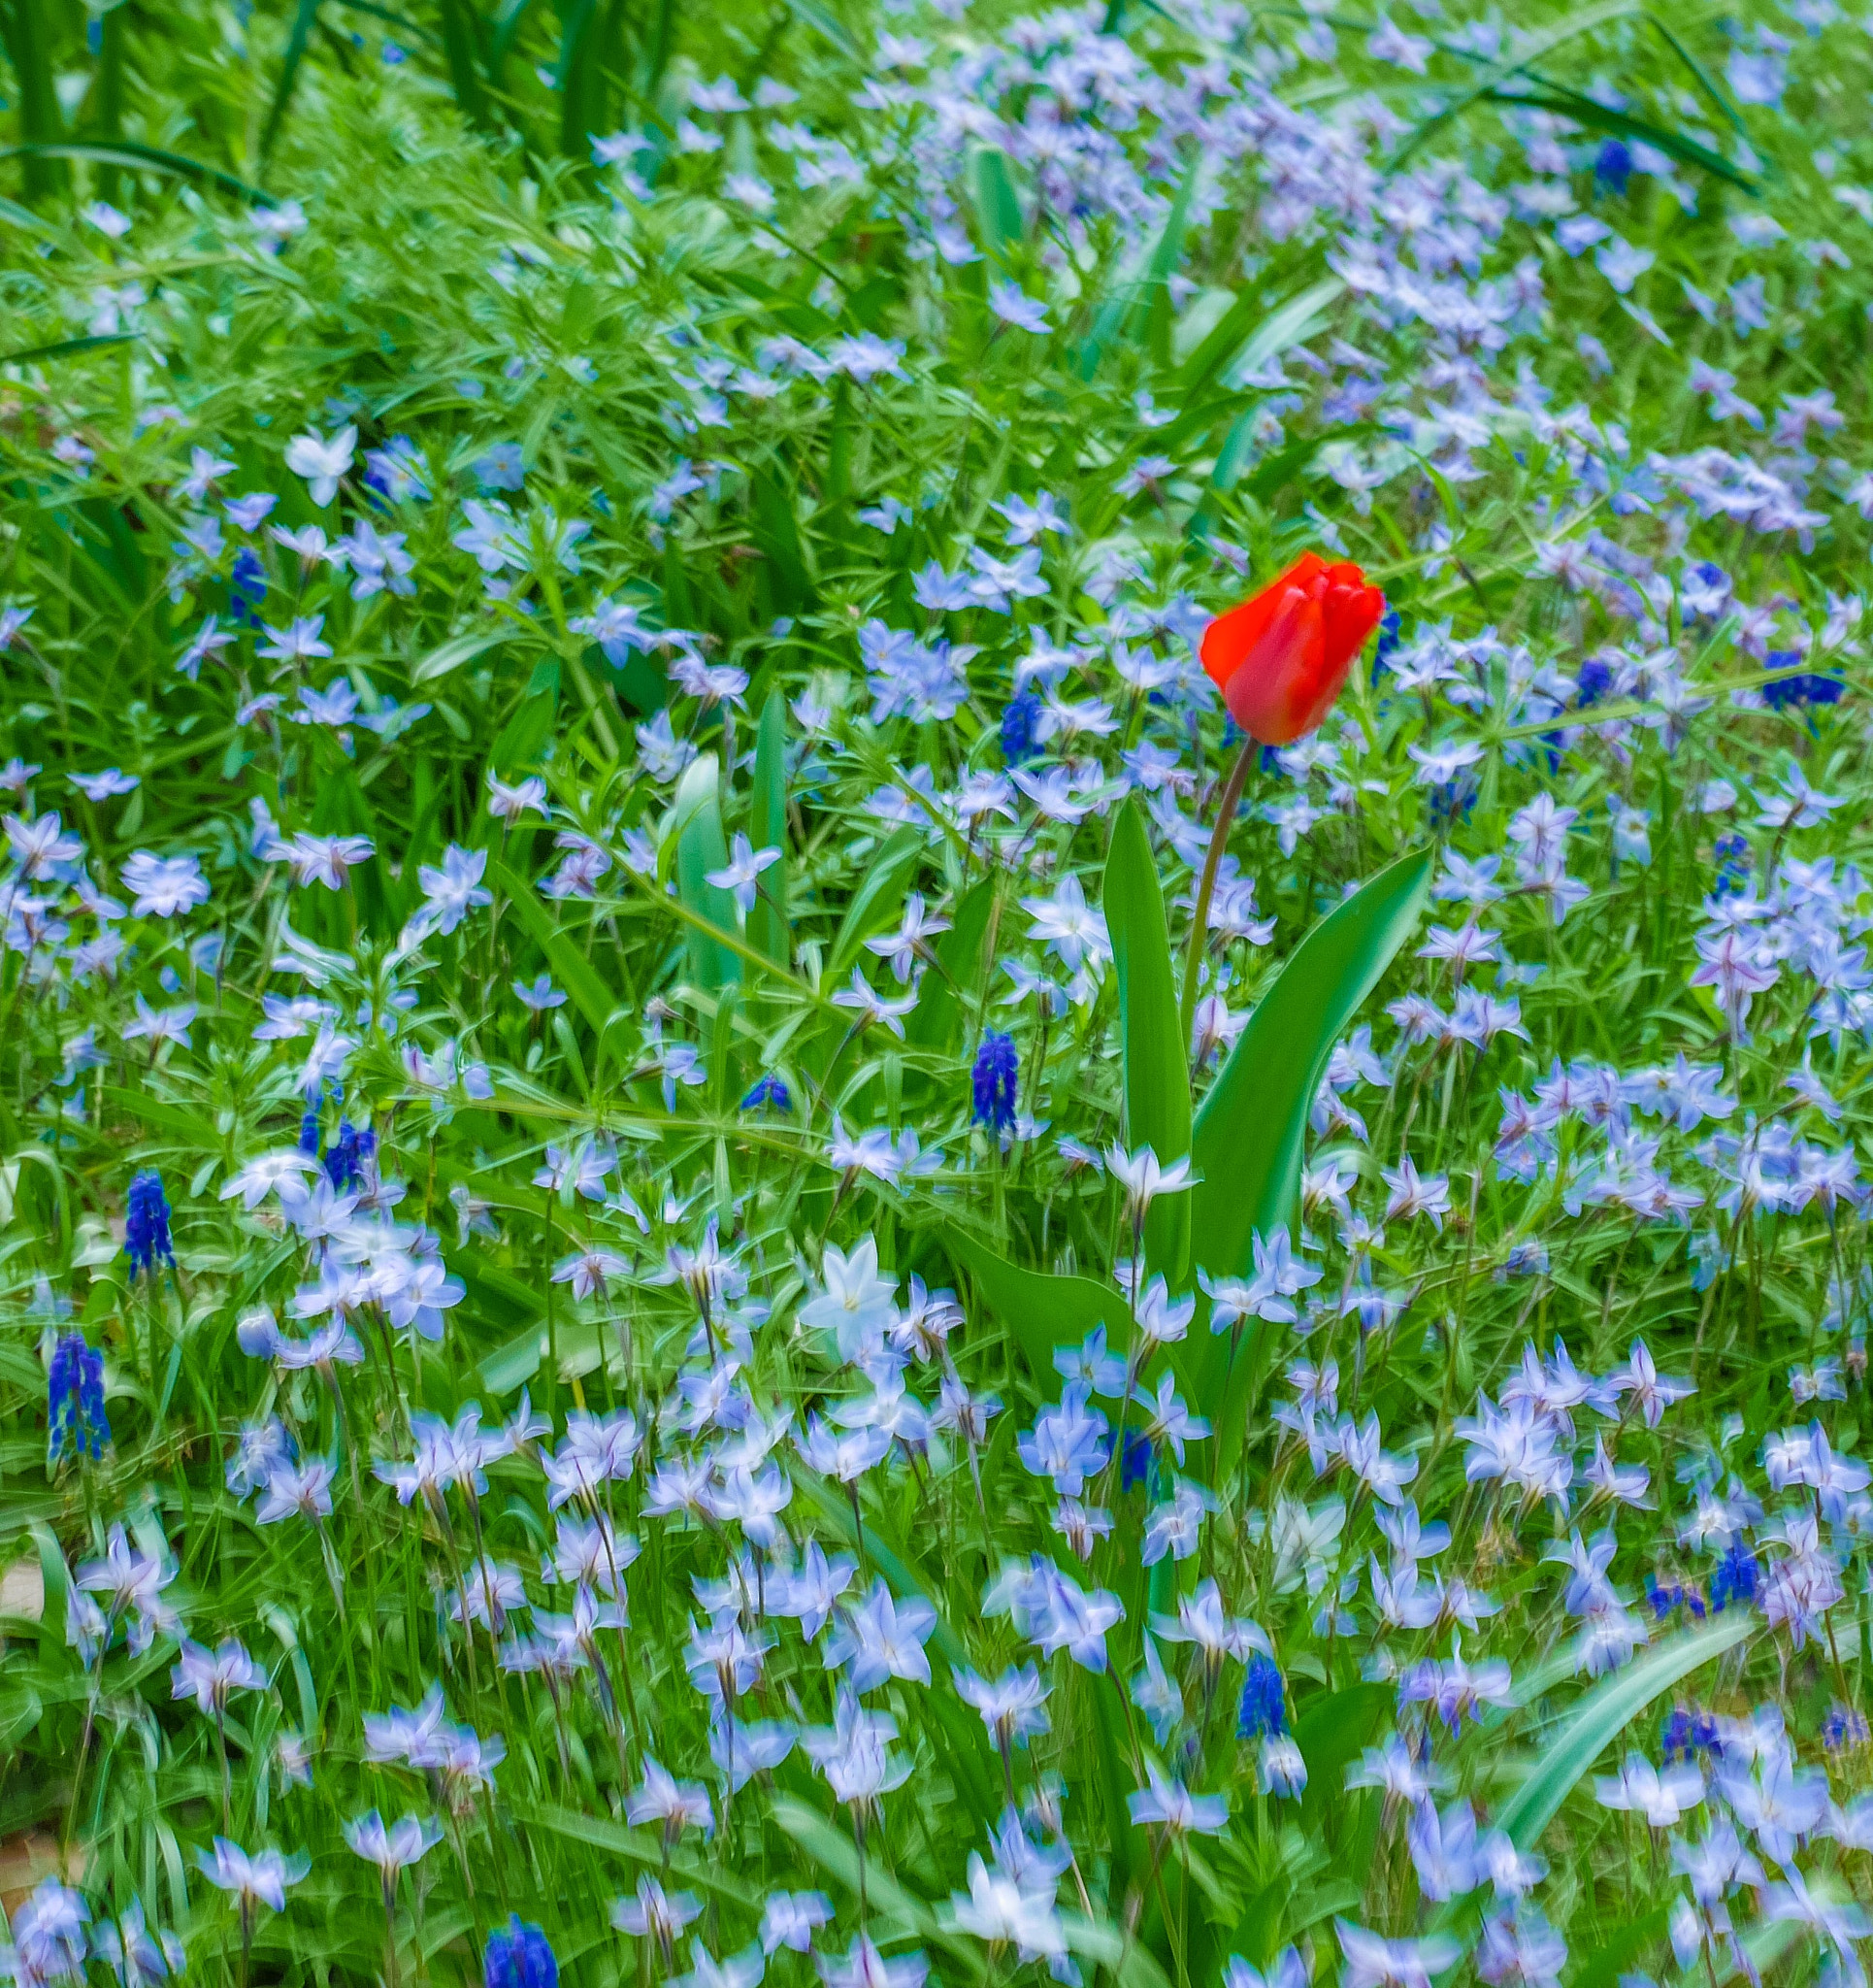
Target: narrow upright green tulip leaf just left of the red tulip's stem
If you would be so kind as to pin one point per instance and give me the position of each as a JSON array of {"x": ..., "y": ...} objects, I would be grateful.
[{"x": 1156, "y": 1069}]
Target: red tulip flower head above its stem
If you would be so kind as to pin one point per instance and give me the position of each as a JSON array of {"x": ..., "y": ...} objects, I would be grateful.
[{"x": 1283, "y": 655}]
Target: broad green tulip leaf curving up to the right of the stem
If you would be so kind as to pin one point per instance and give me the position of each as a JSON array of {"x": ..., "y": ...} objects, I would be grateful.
[{"x": 1252, "y": 1126}]
